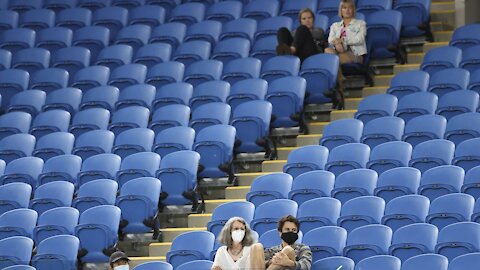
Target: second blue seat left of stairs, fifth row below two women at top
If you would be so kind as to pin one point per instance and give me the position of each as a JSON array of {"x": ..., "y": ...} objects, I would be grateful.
[{"x": 143, "y": 164}]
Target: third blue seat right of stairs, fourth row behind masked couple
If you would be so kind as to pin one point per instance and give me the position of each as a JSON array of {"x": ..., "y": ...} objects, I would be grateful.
[{"x": 424, "y": 128}]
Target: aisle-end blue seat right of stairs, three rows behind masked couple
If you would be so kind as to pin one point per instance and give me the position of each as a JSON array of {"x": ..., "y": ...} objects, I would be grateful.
[{"x": 305, "y": 159}]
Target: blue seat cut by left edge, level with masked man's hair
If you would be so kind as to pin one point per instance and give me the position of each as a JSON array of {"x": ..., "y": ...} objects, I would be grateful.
[{"x": 17, "y": 222}]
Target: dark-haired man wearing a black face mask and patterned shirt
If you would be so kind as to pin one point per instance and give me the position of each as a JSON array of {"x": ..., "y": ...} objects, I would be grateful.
[{"x": 288, "y": 255}]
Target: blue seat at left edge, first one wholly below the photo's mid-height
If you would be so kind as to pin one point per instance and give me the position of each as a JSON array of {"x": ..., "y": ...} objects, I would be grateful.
[{"x": 16, "y": 146}]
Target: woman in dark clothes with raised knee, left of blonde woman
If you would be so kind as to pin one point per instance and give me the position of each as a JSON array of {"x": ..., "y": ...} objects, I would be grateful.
[{"x": 305, "y": 41}]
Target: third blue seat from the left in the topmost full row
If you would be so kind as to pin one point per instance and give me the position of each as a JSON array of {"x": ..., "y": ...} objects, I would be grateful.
[{"x": 73, "y": 18}]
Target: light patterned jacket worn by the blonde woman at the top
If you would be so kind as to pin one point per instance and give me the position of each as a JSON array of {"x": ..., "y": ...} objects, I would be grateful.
[{"x": 354, "y": 38}]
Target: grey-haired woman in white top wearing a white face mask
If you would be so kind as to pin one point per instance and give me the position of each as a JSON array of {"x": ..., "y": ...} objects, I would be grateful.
[{"x": 237, "y": 238}]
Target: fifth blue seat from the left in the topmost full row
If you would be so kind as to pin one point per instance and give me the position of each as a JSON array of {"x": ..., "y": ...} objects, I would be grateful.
[{"x": 151, "y": 15}]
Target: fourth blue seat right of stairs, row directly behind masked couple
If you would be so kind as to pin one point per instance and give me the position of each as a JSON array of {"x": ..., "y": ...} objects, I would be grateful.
[{"x": 361, "y": 211}]
